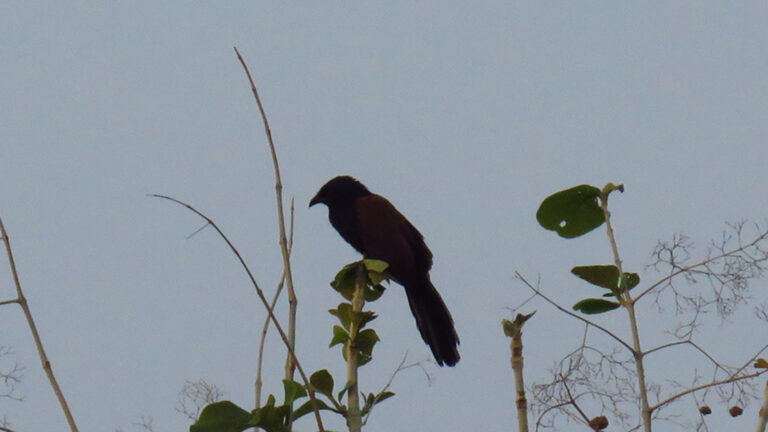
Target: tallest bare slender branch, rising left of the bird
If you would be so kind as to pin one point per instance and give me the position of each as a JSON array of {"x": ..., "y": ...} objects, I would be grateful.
[{"x": 292, "y": 301}]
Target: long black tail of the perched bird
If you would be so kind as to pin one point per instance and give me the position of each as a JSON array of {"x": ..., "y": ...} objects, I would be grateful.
[{"x": 434, "y": 321}]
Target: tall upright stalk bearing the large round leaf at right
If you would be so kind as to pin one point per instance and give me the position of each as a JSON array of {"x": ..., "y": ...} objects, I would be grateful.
[{"x": 628, "y": 303}]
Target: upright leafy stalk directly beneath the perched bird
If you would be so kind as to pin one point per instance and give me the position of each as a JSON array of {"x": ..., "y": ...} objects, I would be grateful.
[{"x": 354, "y": 415}]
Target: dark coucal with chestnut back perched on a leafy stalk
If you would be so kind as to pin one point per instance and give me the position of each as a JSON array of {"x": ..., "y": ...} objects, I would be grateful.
[{"x": 374, "y": 227}]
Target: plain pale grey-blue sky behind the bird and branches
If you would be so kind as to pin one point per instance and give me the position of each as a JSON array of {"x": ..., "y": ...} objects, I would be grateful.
[{"x": 464, "y": 115}]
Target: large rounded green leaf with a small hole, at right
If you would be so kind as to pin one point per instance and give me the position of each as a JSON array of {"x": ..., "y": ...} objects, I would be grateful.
[{"x": 571, "y": 212}]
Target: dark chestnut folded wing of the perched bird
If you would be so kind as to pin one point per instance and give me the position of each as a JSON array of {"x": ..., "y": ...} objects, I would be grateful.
[{"x": 387, "y": 235}]
